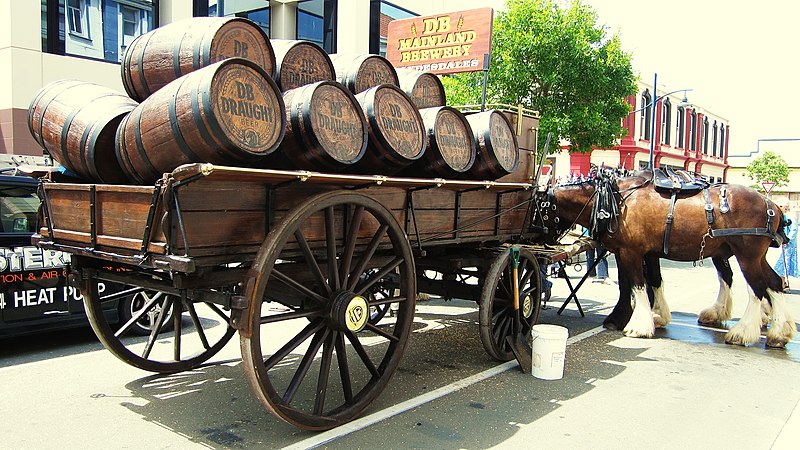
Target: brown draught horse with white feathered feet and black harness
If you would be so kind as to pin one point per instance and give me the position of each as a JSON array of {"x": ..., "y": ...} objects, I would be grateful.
[{"x": 630, "y": 217}]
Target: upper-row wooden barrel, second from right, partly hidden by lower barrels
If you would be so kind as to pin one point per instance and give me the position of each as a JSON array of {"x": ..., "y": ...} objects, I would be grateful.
[{"x": 360, "y": 72}]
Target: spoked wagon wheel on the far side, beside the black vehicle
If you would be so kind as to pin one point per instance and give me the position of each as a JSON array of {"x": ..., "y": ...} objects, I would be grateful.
[{"x": 196, "y": 333}]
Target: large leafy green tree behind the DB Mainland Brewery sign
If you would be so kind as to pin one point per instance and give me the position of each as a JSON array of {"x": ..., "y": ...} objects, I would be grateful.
[{"x": 558, "y": 62}]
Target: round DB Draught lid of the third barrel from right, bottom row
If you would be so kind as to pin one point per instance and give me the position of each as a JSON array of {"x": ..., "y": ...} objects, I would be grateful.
[{"x": 396, "y": 123}]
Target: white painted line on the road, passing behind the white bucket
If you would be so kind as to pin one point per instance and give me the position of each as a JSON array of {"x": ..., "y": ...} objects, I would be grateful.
[{"x": 363, "y": 422}]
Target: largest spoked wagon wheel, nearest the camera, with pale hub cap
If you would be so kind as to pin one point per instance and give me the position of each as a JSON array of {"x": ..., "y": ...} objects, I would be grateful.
[{"x": 323, "y": 303}]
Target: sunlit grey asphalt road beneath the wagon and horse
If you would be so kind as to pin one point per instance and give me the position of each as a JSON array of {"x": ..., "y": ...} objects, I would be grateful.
[{"x": 684, "y": 388}]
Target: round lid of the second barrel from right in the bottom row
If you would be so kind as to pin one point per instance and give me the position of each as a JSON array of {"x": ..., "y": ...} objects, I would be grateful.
[{"x": 454, "y": 139}]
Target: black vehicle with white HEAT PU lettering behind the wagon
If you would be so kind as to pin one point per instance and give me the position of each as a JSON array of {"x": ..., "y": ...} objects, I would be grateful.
[{"x": 35, "y": 295}]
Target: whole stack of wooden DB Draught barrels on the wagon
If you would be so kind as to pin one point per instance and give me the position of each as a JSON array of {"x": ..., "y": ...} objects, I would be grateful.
[{"x": 218, "y": 90}]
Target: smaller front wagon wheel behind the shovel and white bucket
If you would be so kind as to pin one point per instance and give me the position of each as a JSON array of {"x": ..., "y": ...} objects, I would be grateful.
[{"x": 496, "y": 307}]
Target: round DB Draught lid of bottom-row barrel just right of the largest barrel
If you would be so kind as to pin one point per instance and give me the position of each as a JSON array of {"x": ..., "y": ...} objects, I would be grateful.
[{"x": 337, "y": 122}]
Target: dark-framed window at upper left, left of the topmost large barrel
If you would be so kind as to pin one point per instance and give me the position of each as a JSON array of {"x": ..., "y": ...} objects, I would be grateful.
[{"x": 66, "y": 26}]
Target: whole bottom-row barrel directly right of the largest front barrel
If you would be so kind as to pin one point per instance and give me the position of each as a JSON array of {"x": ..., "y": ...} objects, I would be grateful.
[{"x": 326, "y": 130}]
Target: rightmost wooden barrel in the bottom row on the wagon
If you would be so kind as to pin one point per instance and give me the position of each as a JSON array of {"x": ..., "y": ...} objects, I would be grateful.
[{"x": 496, "y": 142}]
